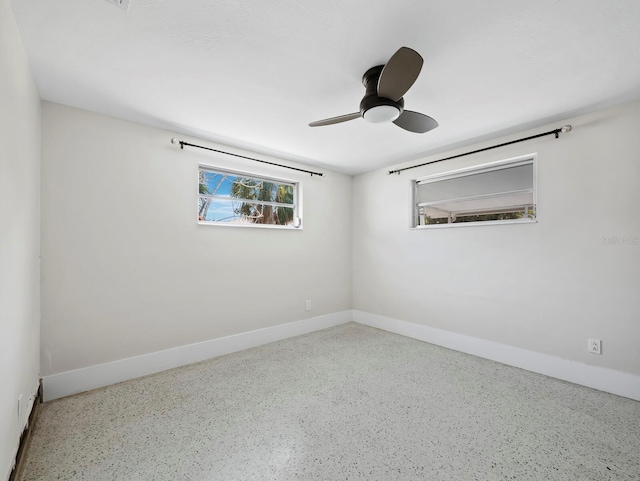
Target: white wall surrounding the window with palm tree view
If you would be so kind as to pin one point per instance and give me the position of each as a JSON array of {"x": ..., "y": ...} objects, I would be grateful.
[{"x": 128, "y": 271}]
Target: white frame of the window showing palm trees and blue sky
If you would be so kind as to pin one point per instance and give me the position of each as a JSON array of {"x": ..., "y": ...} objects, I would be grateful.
[{"x": 298, "y": 222}]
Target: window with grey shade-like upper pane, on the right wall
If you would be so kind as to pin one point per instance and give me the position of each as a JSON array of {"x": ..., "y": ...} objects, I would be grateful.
[{"x": 498, "y": 192}]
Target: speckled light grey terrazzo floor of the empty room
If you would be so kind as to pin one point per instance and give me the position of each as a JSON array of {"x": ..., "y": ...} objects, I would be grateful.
[{"x": 346, "y": 403}]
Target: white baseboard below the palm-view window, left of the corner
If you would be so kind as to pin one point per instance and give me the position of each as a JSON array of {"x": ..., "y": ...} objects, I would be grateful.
[{"x": 73, "y": 382}]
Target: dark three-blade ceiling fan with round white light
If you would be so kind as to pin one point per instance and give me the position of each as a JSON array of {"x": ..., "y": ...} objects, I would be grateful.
[{"x": 385, "y": 86}]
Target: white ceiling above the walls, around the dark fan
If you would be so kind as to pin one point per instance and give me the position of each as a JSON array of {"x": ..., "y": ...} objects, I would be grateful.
[{"x": 253, "y": 74}]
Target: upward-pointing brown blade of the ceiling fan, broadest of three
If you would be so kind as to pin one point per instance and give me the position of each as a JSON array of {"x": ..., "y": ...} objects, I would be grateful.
[{"x": 399, "y": 74}]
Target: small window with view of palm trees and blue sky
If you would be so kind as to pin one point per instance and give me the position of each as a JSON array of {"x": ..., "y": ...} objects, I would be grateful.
[{"x": 234, "y": 198}]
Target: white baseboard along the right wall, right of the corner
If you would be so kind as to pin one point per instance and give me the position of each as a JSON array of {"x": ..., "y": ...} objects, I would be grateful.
[{"x": 603, "y": 379}]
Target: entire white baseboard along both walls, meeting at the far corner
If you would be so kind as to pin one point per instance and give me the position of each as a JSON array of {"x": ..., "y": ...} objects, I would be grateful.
[{"x": 73, "y": 382}]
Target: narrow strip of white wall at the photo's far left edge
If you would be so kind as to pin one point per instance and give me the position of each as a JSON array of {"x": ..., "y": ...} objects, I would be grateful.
[{"x": 19, "y": 237}]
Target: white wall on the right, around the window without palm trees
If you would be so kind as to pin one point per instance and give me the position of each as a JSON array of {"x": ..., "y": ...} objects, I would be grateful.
[{"x": 545, "y": 287}]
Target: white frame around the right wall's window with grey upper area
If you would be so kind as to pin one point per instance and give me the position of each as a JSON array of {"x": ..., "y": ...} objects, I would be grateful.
[{"x": 476, "y": 169}]
